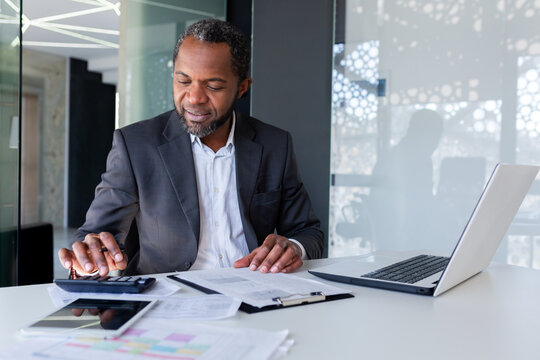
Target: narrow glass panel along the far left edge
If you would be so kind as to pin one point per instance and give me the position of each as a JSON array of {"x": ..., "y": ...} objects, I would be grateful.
[{"x": 9, "y": 139}]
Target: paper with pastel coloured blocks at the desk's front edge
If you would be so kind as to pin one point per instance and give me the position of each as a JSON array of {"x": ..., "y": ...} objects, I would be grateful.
[{"x": 159, "y": 339}]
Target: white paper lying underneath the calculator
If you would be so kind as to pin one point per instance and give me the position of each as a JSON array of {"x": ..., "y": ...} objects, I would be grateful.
[{"x": 161, "y": 288}]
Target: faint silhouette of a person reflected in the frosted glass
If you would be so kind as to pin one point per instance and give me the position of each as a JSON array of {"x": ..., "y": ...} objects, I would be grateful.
[{"x": 404, "y": 196}]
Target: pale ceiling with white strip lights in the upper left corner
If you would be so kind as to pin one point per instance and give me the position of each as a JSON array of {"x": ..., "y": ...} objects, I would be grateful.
[{"x": 84, "y": 29}]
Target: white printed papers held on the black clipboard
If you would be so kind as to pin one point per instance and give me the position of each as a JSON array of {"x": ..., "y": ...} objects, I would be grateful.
[{"x": 256, "y": 288}]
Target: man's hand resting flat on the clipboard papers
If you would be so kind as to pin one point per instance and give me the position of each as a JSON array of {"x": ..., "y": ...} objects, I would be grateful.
[{"x": 276, "y": 254}]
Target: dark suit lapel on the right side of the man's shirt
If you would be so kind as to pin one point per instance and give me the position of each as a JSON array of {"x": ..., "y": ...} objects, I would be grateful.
[{"x": 248, "y": 159}]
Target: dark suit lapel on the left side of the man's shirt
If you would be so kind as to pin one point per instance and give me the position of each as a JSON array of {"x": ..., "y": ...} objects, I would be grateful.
[{"x": 177, "y": 158}]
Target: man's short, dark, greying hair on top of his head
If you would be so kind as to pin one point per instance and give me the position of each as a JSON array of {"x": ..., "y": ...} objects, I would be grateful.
[{"x": 217, "y": 31}]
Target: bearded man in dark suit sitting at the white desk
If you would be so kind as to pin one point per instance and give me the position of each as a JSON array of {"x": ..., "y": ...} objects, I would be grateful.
[{"x": 207, "y": 187}]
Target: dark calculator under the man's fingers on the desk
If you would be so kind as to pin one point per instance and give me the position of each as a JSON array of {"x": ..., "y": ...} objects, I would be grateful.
[{"x": 106, "y": 284}]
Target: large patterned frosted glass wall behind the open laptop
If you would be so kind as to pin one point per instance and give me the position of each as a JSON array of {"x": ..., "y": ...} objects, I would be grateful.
[{"x": 427, "y": 97}]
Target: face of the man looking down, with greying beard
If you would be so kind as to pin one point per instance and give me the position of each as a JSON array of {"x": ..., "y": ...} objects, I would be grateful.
[{"x": 205, "y": 87}]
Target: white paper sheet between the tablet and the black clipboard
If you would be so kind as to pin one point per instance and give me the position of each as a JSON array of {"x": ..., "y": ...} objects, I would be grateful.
[{"x": 206, "y": 307}]
